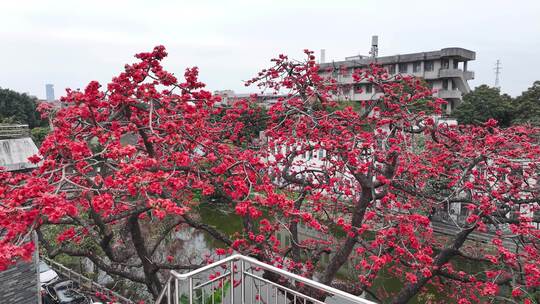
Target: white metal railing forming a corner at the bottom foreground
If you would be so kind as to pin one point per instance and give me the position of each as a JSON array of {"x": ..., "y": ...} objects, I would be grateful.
[{"x": 245, "y": 280}]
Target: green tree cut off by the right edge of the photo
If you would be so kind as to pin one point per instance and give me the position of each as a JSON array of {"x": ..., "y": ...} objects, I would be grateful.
[{"x": 528, "y": 105}]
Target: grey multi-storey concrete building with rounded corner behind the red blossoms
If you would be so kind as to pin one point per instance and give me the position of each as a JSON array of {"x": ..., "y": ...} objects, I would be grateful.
[{"x": 445, "y": 71}]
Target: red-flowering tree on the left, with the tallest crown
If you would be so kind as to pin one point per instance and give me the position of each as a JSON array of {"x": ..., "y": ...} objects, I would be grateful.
[{"x": 122, "y": 169}]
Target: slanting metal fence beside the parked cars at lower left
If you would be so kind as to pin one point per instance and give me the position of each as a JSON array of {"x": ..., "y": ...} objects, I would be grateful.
[{"x": 87, "y": 283}]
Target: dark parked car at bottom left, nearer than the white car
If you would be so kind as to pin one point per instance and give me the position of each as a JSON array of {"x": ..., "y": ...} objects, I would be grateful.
[{"x": 64, "y": 292}]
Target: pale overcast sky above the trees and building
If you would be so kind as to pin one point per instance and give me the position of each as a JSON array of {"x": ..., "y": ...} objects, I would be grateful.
[{"x": 69, "y": 43}]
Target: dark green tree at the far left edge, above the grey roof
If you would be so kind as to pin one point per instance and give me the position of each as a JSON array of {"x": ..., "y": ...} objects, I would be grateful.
[{"x": 19, "y": 108}]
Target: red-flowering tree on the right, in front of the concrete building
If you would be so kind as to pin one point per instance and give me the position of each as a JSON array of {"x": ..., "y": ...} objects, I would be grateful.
[{"x": 382, "y": 175}]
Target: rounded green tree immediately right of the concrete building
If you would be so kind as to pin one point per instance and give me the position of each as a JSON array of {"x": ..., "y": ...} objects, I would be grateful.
[{"x": 483, "y": 103}]
